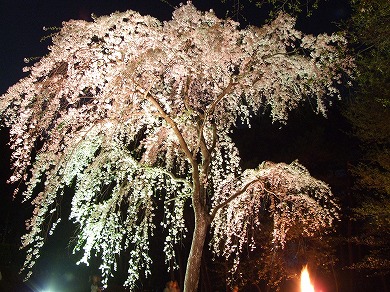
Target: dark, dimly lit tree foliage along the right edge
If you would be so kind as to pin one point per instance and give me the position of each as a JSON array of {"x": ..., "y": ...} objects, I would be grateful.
[{"x": 369, "y": 114}]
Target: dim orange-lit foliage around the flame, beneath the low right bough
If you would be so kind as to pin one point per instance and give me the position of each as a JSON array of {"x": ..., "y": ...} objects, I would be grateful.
[{"x": 271, "y": 266}]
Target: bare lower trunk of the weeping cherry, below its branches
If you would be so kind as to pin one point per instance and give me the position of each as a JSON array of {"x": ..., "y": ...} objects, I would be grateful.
[{"x": 191, "y": 280}]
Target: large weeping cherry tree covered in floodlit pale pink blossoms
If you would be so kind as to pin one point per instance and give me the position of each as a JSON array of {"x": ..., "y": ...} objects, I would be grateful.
[{"x": 126, "y": 109}]
